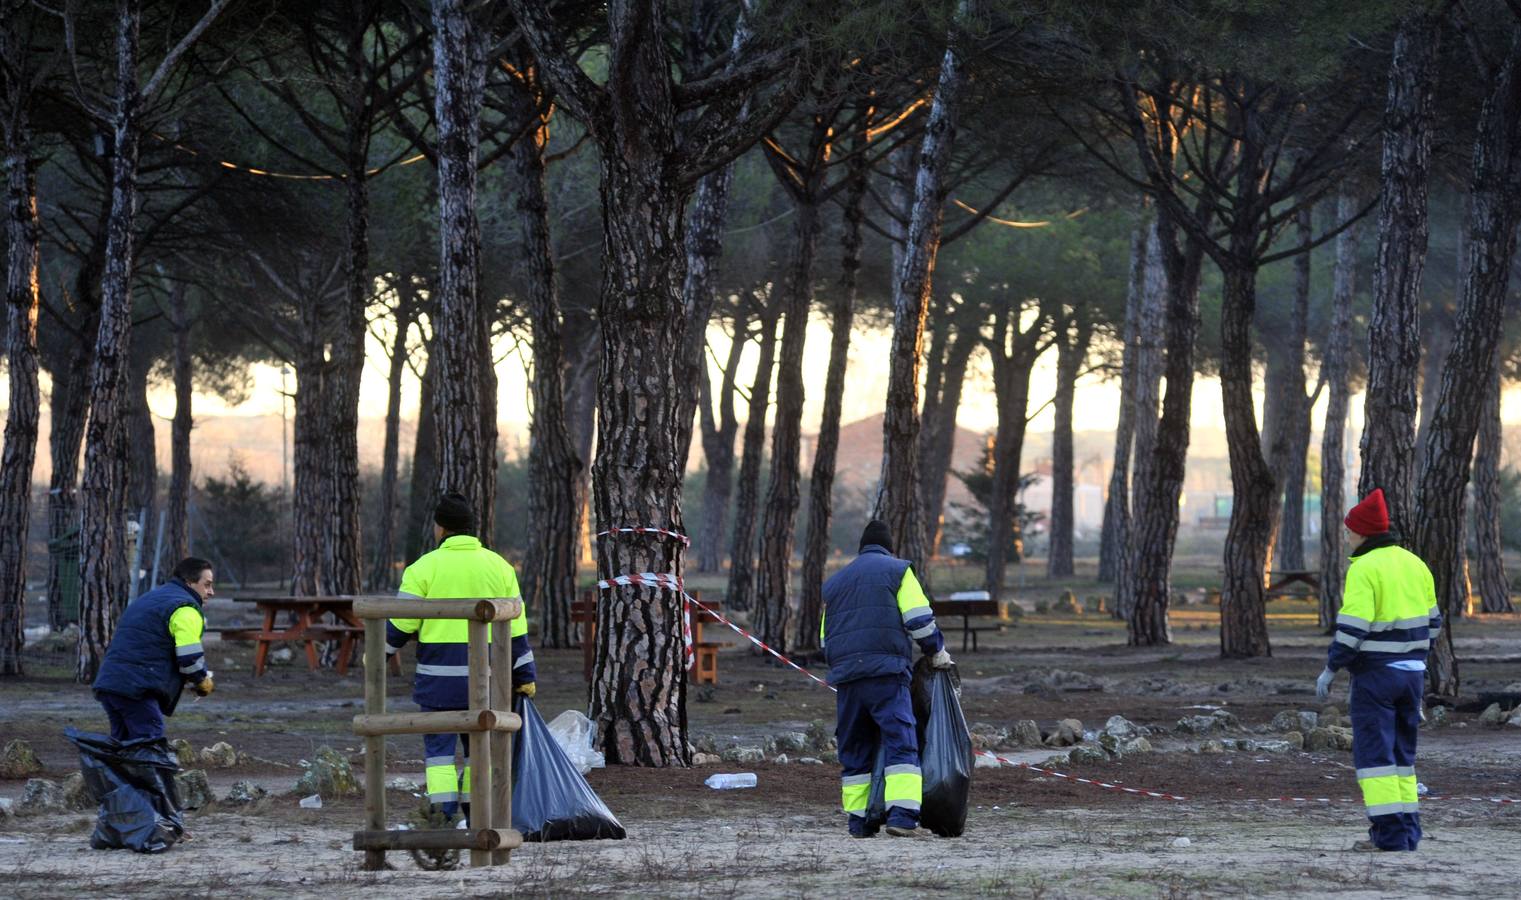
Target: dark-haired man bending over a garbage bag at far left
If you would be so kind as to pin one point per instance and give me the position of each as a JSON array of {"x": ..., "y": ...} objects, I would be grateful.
[{"x": 156, "y": 651}]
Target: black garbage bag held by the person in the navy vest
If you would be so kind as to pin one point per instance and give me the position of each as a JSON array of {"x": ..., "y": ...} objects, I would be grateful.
[{"x": 945, "y": 755}]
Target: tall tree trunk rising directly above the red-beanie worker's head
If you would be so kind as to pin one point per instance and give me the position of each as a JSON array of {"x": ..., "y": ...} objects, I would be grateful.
[{"x": 1394, "y": 334}]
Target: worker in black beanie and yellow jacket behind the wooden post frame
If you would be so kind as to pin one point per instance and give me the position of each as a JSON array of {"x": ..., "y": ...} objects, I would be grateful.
[{"x": 459, "y": 569}]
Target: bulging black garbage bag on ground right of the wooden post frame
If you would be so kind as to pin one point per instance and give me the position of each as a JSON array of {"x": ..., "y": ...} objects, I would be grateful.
[{"x": 551, "y": 800}]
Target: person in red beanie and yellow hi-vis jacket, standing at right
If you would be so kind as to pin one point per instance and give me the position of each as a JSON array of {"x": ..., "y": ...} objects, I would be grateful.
[{"x": 1386, "y": 626}]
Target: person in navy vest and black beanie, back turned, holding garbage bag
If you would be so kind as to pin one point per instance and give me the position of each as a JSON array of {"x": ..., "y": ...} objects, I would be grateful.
[{"x": 875, "y": 610}]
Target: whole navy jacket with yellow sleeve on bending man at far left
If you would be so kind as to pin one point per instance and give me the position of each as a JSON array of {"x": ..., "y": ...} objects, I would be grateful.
[{"x": 156, "y": 647}]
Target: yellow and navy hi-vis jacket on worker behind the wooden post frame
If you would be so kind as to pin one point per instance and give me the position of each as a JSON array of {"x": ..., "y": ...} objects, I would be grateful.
[{"x": 459, "y": 569}]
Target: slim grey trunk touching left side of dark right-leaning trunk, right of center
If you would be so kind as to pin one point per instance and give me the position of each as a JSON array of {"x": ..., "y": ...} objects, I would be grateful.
[{"x": 1151, "y": 346}]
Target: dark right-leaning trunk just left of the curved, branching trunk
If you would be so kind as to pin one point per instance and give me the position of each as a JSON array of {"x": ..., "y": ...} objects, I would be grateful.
[{"x": 1160, "y": 471}]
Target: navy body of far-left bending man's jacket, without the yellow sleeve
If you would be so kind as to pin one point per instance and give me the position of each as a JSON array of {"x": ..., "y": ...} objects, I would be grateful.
[{"x": 141, "y": 662}]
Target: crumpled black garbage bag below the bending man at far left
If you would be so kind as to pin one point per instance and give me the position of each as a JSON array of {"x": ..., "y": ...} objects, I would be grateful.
[{"x": 135, "y": 784}]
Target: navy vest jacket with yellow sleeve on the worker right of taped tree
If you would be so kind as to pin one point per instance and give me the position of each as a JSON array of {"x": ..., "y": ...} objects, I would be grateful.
[{"x": 871, "y": 609}]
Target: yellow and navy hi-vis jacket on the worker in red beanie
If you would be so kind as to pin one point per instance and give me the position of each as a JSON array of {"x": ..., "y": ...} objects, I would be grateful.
[{"x": 1389, "y": 610}]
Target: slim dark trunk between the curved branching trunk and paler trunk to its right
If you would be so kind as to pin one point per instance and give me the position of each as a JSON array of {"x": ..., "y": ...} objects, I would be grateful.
[{"x": 1289, "y": 451}]
